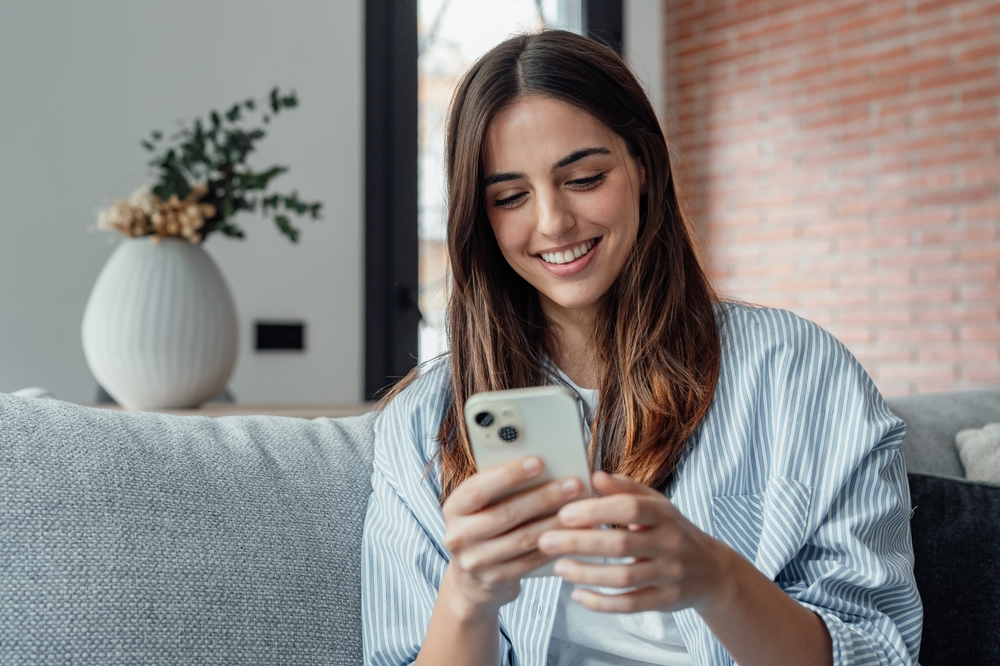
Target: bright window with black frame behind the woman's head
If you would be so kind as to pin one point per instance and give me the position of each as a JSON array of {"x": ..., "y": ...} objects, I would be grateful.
[{"x": 415, "y": 53}]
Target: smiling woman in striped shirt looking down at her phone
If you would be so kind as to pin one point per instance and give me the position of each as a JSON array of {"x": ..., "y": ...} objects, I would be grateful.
[{"x": 753, "y": 462}]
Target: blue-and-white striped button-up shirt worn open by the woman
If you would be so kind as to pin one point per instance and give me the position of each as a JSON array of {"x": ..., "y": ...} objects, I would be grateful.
[{"x": 797, "y": 466}]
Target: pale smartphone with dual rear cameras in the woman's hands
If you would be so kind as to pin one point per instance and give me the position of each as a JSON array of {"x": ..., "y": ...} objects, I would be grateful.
[{"x": 543, "y": 421}]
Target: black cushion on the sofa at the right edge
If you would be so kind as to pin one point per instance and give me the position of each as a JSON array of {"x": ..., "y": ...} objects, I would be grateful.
[{"x": 956, "y": 544}]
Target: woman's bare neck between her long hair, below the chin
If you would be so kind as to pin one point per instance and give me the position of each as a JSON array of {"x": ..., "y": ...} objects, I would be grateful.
[{"x": 573, "y": 334}]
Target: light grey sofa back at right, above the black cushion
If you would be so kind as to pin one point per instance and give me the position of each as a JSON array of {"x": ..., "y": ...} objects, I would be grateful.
[{"x": 933, "y": 420}]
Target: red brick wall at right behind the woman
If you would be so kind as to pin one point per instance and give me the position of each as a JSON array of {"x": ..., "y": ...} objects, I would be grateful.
[{"x": 841, "y": 159}]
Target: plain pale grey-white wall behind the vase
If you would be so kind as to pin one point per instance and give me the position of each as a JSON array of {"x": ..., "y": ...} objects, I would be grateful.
[{"x": 81, "y": 83}]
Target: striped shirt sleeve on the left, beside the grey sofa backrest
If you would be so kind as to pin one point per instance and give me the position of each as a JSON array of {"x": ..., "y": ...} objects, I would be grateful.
[{"x": 403, "y": 557}]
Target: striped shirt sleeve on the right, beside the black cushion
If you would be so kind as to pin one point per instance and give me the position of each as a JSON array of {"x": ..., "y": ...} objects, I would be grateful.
[{"x": 855, "y": 567}]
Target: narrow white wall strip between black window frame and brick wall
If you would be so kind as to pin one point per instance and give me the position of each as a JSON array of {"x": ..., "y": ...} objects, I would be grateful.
[{"x": 642, "y": 28}]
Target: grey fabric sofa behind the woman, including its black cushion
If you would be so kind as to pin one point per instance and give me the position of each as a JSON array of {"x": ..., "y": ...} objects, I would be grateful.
[{"x": 142, "y": 538}]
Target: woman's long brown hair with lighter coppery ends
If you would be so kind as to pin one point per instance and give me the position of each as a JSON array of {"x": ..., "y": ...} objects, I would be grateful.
[{"x": 656, "y": 333}]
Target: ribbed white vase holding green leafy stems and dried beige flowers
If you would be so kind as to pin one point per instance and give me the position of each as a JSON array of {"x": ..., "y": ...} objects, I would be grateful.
[{"x": 160, "y": 327}]
